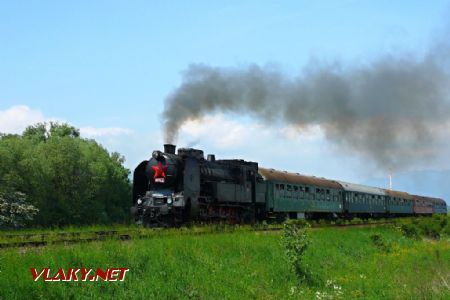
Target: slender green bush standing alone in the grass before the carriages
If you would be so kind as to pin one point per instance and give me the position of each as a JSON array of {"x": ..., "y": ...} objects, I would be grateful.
[{"x": 295, "y": 240}]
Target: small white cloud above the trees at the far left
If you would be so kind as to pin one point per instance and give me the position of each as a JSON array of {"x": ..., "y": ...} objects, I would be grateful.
[{"x": 17, "y": 118}]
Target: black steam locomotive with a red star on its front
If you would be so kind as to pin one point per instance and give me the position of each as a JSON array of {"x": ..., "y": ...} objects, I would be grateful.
[{"x": 171, "y": 189}]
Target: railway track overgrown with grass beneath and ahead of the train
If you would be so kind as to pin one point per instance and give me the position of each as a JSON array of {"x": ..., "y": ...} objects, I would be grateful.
[{"x": 68, "y": 238}]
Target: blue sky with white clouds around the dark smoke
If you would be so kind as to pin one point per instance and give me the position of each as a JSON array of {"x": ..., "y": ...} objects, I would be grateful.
[{"x": 107, "y": 67}]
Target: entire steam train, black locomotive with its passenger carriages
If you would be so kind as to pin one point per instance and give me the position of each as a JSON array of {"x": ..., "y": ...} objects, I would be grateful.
[{"x": 170, "y": 189}]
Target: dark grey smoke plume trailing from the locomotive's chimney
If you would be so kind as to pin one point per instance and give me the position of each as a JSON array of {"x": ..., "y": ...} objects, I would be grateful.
[{"x": 389, "y": 111}]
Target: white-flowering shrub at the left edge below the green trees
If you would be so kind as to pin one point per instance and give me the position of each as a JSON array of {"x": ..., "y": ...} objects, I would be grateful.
[{"x": 15, "y": 210}]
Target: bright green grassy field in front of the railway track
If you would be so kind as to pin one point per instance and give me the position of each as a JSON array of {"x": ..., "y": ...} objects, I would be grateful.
[{"x": 344, "y": 263}]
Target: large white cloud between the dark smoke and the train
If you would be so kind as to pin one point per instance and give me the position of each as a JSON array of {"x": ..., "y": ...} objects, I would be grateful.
[{"x": 286, "y": 148}]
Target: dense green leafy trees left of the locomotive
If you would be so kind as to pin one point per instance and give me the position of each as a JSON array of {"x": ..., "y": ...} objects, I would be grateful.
[{"x": 50, "y": 176}]
